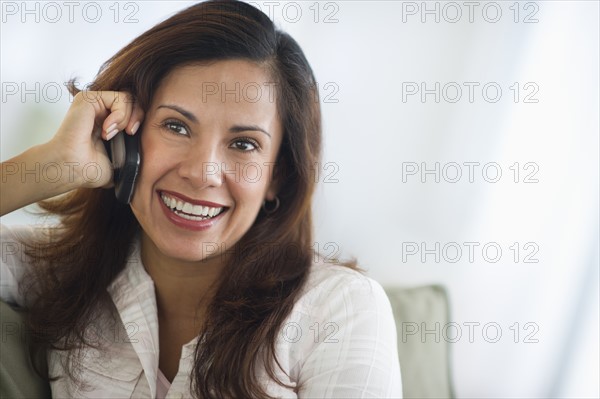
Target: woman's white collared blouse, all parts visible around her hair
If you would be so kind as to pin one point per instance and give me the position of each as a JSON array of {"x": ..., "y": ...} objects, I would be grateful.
[{"x": 339, "y": 341}]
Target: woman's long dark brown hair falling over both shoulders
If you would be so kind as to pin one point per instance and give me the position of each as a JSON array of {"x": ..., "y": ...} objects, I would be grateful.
[{"x": 258, "y": 286}]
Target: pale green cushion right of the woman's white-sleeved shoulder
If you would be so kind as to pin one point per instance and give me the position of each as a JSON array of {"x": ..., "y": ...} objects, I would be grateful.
[{"x": 421, "y": 314}]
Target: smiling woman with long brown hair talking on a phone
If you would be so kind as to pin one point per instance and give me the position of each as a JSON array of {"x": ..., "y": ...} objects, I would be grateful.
[{"x": 206, "y": 284}]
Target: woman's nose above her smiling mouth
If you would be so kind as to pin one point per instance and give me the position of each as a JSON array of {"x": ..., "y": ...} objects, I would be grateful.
[{"x": 201, "y": 166}]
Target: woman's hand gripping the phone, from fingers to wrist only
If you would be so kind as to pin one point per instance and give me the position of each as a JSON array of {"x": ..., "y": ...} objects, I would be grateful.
[{"x": 94, "y": 116}]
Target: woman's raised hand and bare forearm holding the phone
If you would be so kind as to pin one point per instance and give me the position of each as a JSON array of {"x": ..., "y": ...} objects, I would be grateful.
[{"x": 75, "y": 157}]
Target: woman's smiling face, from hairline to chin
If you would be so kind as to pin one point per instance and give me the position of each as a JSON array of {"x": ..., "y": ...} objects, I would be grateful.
[{"x": 209, "y": 143}]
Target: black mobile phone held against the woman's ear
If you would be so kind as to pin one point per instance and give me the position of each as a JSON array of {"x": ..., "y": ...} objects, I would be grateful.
[{"x": 124, "y": 153}]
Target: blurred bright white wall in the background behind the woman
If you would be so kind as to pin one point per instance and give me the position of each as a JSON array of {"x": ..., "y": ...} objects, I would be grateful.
[{"x": 370, "y": 206}]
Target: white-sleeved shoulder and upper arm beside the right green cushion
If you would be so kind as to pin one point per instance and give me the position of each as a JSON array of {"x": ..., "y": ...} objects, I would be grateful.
[{"x": 340, "y": 338}]
